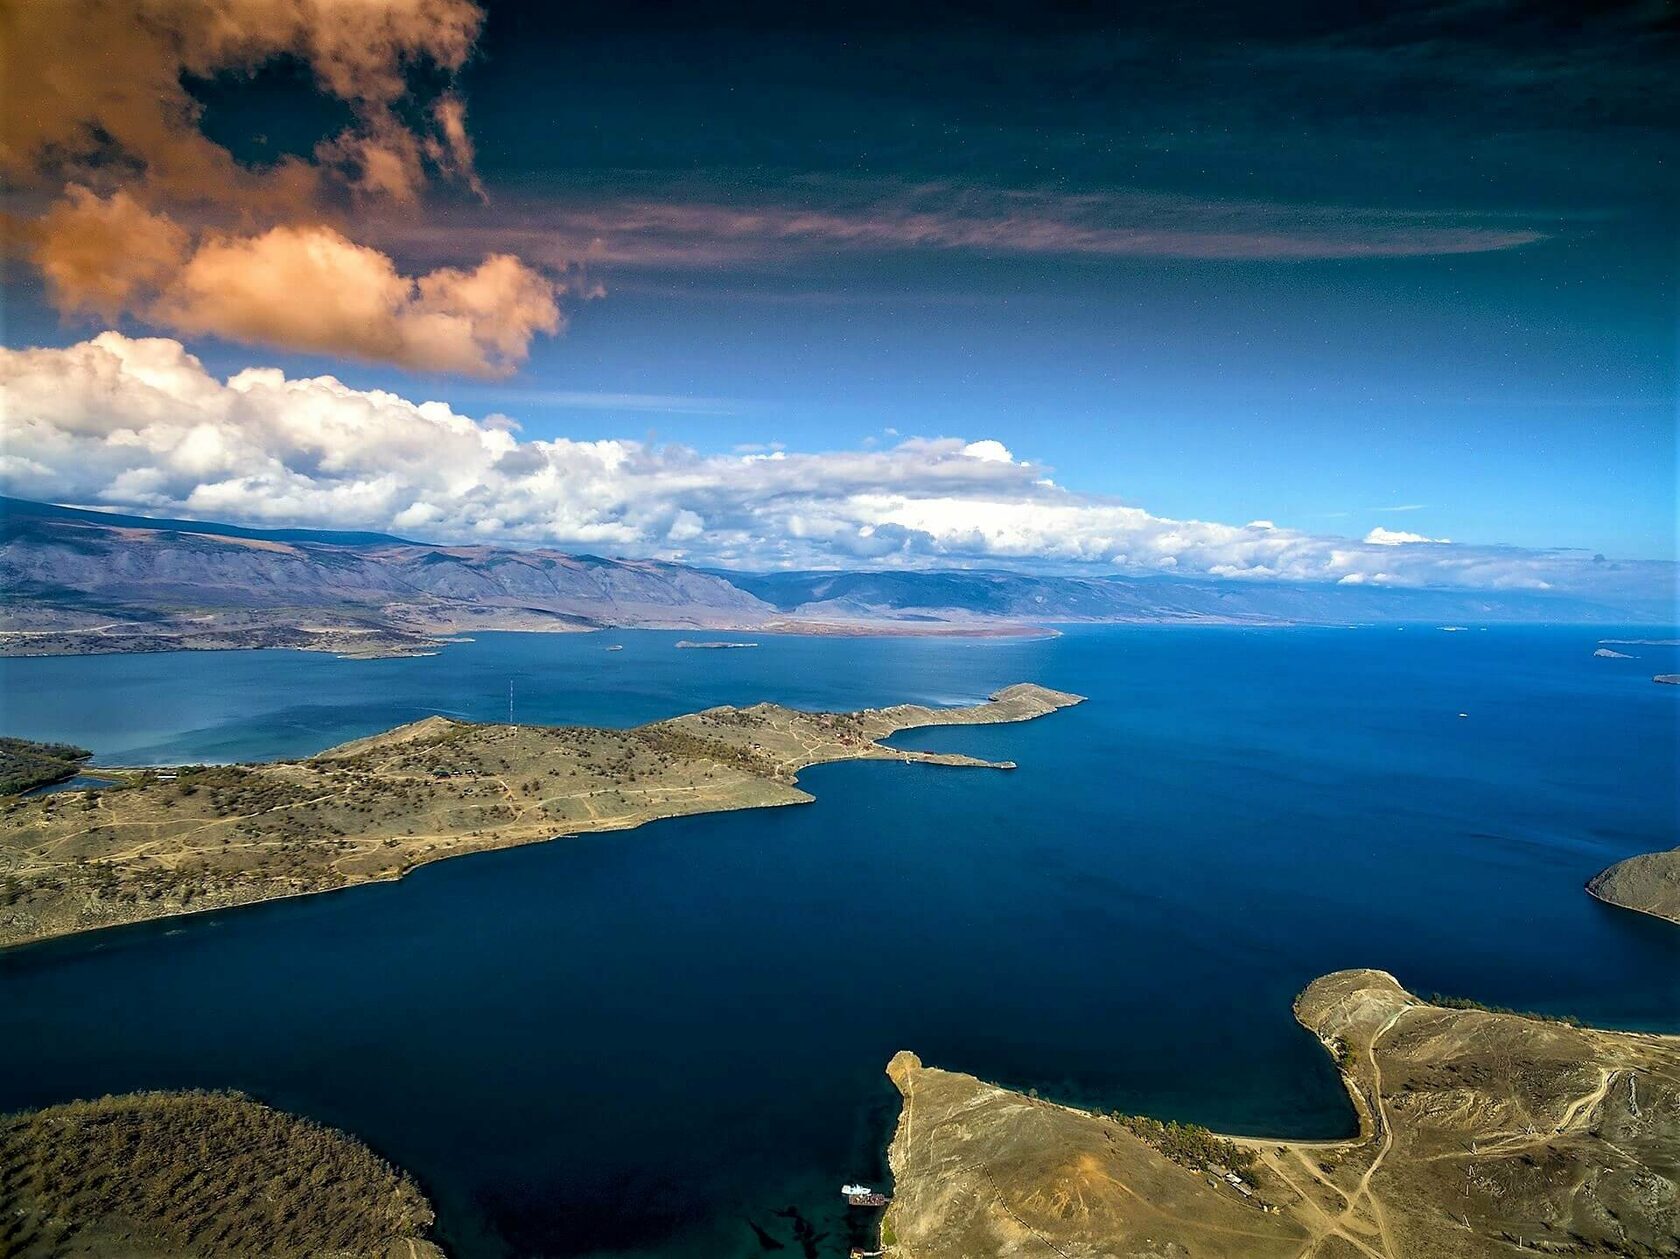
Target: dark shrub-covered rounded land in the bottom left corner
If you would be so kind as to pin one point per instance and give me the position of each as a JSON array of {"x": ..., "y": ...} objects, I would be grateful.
[{"x": 187, "y": 1176}]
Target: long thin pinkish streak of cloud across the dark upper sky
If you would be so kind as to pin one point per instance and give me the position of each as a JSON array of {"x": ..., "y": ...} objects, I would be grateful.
[{"x": 685, "y": 228}]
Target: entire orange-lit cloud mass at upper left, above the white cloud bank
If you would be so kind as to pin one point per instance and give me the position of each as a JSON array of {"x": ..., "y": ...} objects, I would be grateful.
[{"x": 155, "y": 219}]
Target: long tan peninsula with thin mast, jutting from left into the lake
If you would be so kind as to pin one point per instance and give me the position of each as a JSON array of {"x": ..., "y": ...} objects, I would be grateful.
[{"x": 216, "y": 836}]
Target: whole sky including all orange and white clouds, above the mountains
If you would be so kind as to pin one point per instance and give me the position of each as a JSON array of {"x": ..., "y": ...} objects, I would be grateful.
[{"x": 1209, "y": 290}]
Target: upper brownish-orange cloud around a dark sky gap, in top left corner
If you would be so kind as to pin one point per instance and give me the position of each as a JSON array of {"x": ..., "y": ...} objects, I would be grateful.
[{"x": 103, "y": 83}]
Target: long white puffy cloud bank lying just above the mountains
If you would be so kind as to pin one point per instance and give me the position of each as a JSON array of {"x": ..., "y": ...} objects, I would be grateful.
[{"x": 140, "y": 423}]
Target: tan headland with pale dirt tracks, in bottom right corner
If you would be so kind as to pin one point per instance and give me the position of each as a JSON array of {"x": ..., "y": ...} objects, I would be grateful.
[{"x": 1481, "y": 1134}]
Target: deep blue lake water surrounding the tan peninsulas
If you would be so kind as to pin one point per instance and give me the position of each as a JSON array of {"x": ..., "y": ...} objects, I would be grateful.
[{"x": 643, "y": 1045}]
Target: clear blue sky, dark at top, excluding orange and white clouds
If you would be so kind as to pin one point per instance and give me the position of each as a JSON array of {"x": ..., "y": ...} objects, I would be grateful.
[{"x": 1221, "y": 265}]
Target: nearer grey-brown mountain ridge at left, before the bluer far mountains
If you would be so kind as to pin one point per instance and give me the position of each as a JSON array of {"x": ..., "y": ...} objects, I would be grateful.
[{"x": 81, "y": 581}]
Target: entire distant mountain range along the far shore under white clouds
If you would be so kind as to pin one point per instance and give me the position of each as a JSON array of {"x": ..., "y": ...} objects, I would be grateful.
[{"x": 92, "y": 582}]
